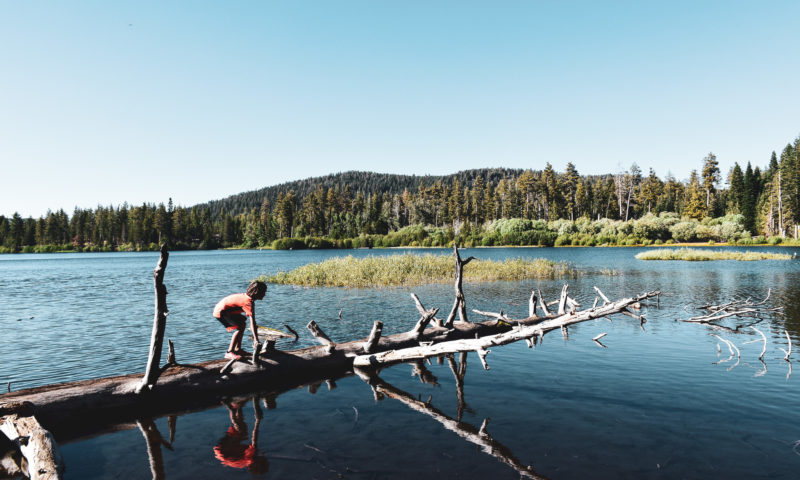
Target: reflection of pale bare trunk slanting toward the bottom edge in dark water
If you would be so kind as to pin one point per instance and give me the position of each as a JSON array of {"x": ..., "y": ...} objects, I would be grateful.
[{"x": 464, "y": 430}]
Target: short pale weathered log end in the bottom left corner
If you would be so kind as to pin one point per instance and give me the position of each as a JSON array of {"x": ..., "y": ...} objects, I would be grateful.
[{"x": 35, "y": 443}]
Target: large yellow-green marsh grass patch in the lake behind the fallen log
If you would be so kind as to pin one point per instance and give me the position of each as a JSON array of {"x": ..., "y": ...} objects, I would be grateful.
[{"x": 412, "y": 269}]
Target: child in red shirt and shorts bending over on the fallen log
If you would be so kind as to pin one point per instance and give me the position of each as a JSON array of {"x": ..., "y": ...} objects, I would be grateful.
[{"x": 231, "y": 312}]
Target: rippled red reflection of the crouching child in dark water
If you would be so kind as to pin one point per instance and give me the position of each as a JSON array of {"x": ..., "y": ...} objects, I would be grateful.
[{"x": 230, "y": 450}]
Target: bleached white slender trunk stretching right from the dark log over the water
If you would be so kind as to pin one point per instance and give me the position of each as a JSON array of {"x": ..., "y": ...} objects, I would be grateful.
[{"x": 481, "y": 344}]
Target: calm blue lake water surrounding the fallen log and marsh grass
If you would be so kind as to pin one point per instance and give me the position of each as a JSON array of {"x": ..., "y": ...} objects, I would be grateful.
[{"x": 661, "y": 401}]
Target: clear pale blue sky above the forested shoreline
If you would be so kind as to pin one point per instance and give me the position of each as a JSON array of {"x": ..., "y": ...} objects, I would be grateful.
[{"x": 105, "y": 102}]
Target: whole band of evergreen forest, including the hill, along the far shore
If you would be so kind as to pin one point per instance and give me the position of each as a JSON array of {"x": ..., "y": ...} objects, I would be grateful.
[{"x": 359, "y": 208}]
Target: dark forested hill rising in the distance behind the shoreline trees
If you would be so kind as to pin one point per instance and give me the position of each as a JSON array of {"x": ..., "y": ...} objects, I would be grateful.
[{"x": 365, "y": 183}]
